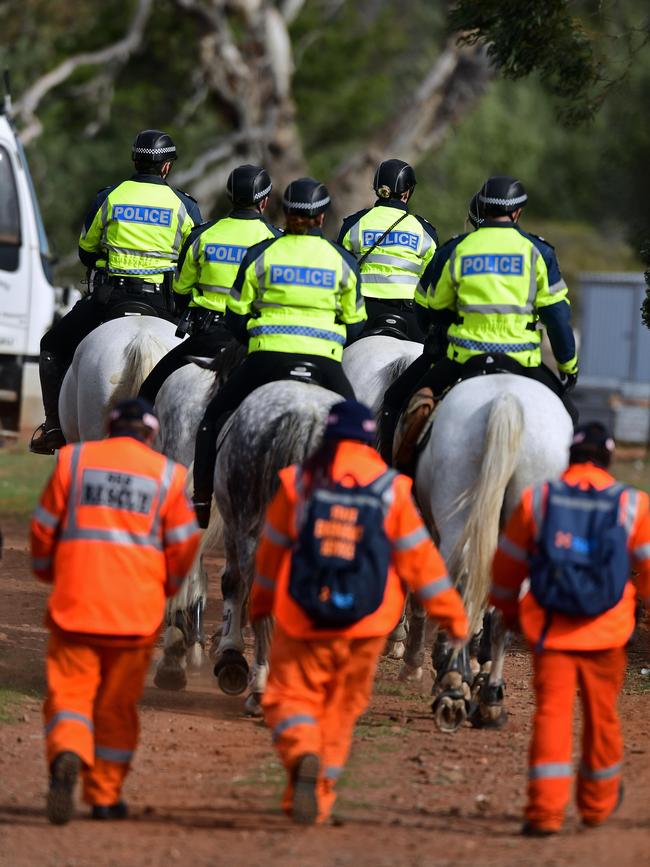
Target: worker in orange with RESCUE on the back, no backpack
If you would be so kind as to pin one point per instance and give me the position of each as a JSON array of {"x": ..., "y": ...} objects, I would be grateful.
[{"x": 115, "y": 534}]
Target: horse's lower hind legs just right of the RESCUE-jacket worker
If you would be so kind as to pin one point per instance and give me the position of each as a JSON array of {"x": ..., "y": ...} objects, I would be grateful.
[{"x": 183, "y": 638}]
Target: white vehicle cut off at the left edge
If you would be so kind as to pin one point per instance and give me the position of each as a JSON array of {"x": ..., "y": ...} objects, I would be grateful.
[{"x": 27, "y": 295}]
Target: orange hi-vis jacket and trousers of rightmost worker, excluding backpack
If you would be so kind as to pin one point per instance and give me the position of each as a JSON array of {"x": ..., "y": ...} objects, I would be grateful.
[{"x": 577, "y": 651}]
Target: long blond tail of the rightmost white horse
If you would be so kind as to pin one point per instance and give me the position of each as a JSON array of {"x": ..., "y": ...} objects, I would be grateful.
[{"x": 471, "y": 559}]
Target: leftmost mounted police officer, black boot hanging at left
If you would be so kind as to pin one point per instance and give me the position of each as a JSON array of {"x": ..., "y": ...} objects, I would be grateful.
[{"x": 131, "y": 237}]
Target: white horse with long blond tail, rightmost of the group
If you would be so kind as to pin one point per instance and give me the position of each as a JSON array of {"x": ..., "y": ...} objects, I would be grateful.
[{"x": 492, "y": 436}]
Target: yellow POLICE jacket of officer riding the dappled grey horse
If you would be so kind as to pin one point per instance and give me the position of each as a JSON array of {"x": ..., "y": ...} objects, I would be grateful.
[{"x": 300, "y": 292}]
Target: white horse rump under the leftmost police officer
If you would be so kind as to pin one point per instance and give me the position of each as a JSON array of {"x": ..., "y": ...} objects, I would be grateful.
[{"x": 110, "y": 364}]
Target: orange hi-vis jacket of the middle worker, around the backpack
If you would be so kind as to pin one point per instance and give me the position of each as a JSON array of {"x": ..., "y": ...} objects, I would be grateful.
[{"x": 415, "y": 561}]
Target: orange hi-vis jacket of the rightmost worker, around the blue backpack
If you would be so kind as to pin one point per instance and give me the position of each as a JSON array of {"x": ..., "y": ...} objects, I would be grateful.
[{"x": 511, "y": 561}]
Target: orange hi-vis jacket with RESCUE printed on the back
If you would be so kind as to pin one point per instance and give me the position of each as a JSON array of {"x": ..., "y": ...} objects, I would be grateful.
[{"x": 115, "y": 533}]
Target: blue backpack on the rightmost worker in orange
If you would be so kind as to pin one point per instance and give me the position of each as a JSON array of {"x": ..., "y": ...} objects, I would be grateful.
[{"x": 582, "y": 563}]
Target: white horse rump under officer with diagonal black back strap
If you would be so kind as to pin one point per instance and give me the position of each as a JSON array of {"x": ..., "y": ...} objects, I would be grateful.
[{"x": 373, "y": 363}]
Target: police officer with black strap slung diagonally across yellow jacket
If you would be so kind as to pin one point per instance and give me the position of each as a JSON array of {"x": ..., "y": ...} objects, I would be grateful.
[{"x": 392, "y": 246}]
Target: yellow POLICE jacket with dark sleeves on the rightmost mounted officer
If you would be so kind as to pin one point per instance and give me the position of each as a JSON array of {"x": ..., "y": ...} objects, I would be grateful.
[{"x": 498, "y": 281}]
